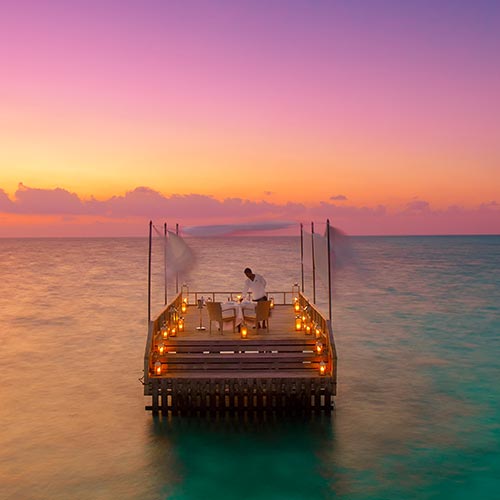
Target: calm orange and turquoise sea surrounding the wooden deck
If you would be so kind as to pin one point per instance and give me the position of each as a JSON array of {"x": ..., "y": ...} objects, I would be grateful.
[{"x": 417, "y": 327}]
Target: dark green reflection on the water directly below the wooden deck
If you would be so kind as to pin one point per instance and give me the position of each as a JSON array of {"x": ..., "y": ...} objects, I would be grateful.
[{"x": 244, "y": 455}]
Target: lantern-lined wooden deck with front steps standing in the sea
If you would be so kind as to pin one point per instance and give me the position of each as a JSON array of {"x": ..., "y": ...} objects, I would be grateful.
[{"x": 282, "y": 367}]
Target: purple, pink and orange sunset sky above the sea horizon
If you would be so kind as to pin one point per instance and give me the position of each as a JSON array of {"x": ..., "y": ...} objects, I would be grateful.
[{"x": 382, "y": 115}]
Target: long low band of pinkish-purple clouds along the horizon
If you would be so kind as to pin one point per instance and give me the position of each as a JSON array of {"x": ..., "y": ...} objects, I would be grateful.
[{"x": 126, "y": 214}]
